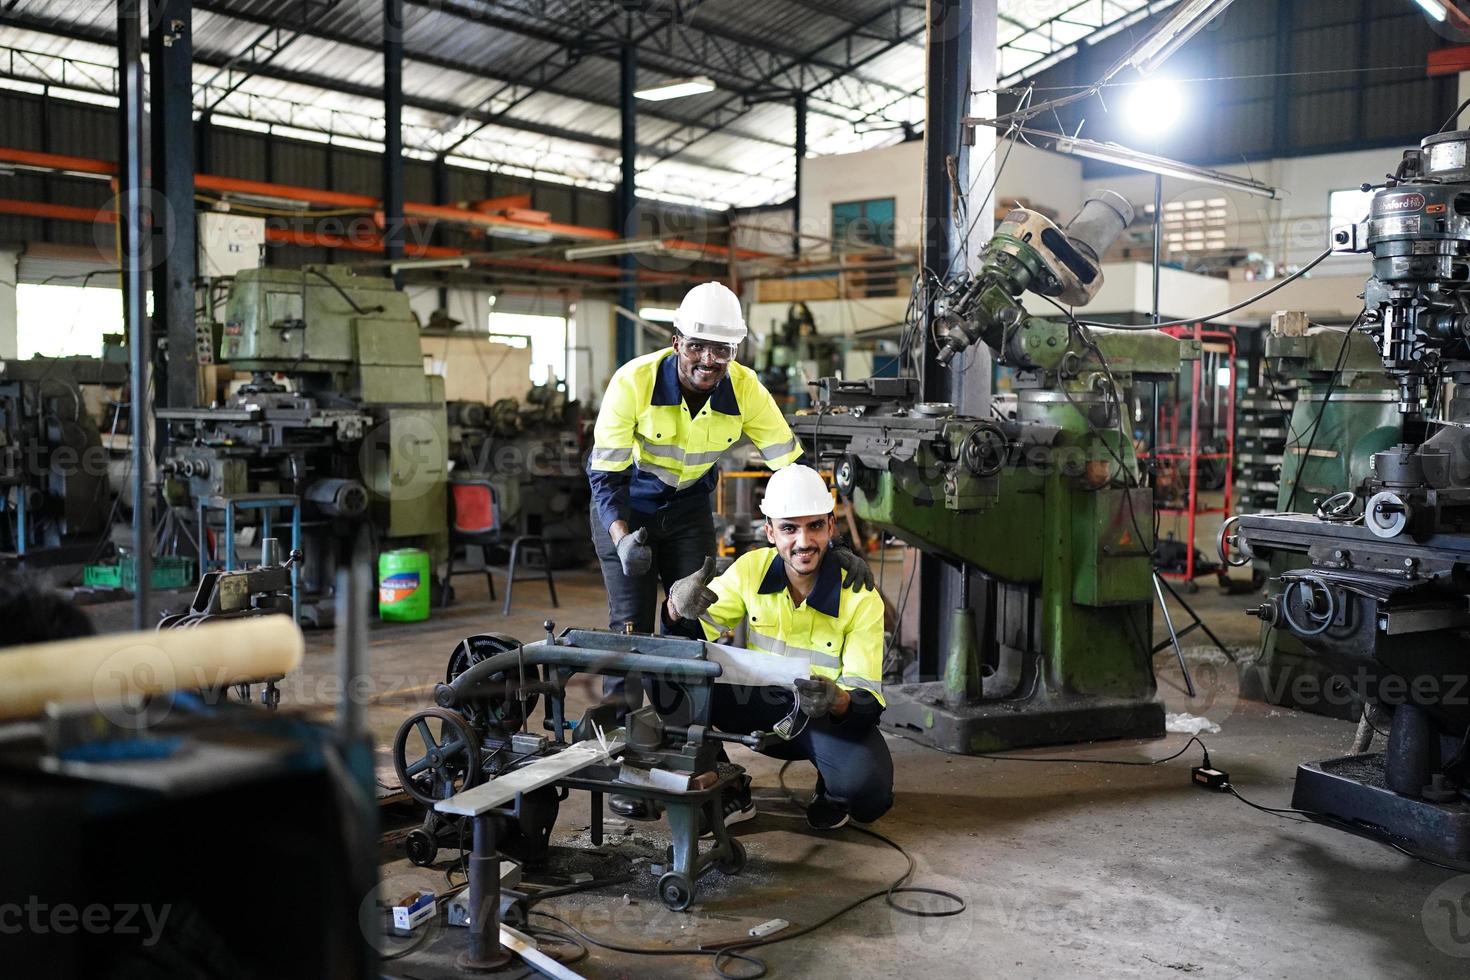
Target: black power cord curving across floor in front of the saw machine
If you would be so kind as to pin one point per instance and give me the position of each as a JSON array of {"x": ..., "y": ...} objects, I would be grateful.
[{"x": 724, "y": 953}]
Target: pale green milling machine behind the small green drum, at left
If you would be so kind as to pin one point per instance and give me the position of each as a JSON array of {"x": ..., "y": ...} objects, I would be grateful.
[{"x": 339, "y": 414}]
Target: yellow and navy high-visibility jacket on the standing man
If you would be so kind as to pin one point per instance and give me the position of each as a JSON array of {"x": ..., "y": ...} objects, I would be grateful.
[{"x": 650, "y": 453}]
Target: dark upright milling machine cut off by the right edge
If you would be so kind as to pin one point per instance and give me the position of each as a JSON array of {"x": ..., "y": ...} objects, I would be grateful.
[{"x": 1380, "y": 597}]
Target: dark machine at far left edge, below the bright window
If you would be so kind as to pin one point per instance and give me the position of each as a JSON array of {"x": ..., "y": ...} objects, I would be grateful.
[{"x": 55, "y": 499}]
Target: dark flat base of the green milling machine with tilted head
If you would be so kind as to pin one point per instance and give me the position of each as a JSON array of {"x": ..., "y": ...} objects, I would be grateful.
[{"x": 919, "y": 713}]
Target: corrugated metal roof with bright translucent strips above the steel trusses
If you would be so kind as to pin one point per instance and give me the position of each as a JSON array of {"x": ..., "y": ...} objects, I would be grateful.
[{"x": 520, "y": 84}]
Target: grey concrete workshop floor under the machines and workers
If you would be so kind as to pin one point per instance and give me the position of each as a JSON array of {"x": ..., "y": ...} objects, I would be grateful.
[{"x": 1068, "y": 871}]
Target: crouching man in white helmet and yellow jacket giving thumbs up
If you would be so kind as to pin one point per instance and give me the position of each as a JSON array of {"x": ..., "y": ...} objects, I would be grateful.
[{"x": 795, "y": 605}]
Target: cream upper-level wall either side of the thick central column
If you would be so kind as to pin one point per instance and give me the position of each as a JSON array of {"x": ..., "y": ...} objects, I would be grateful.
[{"x": 1043, "y": 179}]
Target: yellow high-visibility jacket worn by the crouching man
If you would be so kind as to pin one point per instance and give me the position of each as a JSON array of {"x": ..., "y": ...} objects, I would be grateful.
[{"x": 842, "y": 631}]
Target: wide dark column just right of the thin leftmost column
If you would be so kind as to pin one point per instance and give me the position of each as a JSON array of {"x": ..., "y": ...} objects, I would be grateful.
[{"x": 173, "y": 142}]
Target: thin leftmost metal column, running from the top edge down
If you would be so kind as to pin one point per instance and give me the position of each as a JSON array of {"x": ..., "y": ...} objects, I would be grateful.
[{"x": 135, "y": 227}]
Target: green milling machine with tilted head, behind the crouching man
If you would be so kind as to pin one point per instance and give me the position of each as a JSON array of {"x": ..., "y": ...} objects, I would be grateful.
[{"x": 1047, "y": 514}]
